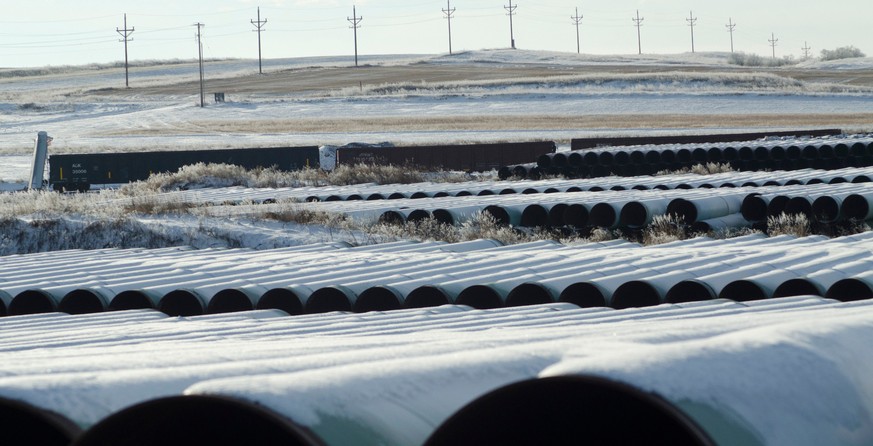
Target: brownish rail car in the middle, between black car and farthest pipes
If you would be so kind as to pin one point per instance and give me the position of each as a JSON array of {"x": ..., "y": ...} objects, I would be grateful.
[{"x": 467, "y": 157}]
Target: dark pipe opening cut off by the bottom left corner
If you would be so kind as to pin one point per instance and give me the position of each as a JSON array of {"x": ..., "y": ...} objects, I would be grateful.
[{"x": 25, "y": 425}]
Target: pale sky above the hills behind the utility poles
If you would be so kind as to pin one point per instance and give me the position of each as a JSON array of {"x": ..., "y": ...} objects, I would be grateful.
[{"x": 63, "y": 32}]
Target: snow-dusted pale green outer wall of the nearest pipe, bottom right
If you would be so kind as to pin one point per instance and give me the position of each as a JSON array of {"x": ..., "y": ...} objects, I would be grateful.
[{"x": 776, "y": 401}]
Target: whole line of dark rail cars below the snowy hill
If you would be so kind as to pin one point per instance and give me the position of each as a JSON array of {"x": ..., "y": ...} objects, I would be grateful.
[{"x": 78, "y": 172}]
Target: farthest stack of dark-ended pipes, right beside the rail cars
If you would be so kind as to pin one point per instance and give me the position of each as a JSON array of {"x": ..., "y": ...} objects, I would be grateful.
[{"x": 819, "y": 153}]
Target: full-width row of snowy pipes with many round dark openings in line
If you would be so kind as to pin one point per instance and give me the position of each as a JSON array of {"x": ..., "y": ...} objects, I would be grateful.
[{"x": 481, "y": 273}]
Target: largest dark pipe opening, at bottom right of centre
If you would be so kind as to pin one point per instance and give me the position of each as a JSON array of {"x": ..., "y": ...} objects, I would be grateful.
[{"x": 569, "y": 410}]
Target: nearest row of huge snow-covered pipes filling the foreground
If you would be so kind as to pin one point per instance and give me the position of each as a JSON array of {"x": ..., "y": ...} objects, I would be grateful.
[{"x": 783, "y": 371}]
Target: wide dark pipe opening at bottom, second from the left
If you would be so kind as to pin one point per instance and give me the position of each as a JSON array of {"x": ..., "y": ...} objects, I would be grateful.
[{"x": 187, "y": 420}]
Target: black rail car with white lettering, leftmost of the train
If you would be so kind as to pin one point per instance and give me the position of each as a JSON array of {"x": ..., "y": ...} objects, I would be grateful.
[{"x": 80, "y": 171}]
